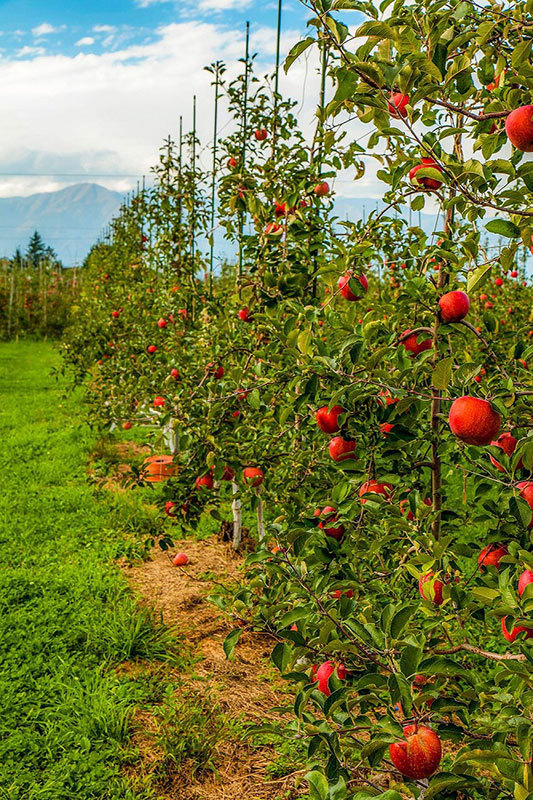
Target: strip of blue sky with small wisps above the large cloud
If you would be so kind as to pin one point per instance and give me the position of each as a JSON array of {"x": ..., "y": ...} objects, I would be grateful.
[{"x": 30, "y": 26}]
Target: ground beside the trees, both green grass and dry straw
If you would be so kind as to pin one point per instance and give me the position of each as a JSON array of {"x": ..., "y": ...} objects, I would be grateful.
[{"x": 113, "y": 681}]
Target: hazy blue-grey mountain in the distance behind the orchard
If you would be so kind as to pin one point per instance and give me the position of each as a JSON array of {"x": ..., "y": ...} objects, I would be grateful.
[{"x": 69, "y": 220}]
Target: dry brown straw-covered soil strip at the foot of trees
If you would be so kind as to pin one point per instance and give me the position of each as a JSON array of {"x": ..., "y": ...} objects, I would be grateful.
[{"x": 245, "y": 688}]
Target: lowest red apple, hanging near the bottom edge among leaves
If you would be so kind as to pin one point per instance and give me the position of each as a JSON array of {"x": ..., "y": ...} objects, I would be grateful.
[{"x": 419, "y": 756}]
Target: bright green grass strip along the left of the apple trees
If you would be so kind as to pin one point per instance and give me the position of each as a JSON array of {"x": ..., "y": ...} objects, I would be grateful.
[{"x": 66, "y": 615}]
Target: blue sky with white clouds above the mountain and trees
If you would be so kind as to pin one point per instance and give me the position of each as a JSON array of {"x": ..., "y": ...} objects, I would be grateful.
[{"x": 89, "y": 89}]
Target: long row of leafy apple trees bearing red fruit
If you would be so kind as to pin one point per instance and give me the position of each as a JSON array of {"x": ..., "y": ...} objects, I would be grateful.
[{"x": 363, "y": 385}]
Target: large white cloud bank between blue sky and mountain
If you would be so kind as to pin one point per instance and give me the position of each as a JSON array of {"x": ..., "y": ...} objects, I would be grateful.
[{"x": 127, "y": 101}]
